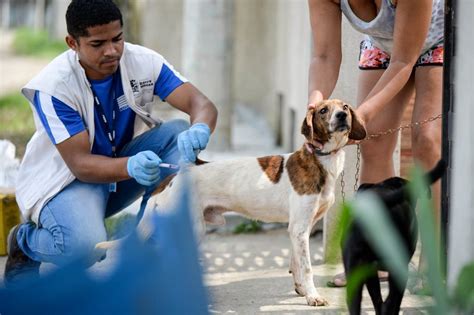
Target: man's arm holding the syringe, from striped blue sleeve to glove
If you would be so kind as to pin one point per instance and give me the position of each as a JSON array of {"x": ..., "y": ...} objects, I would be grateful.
[{"x": 67, "y": 132}]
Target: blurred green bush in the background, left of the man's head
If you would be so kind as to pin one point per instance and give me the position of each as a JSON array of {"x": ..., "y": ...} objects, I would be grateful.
[{"x": 37, "y": 43}]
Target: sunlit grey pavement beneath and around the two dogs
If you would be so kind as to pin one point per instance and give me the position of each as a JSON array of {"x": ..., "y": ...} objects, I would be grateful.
[{"x": 248, "y": 274}]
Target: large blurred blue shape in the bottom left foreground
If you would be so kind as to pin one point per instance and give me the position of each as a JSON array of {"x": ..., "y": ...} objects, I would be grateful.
[{"x": 161, "y": 276}]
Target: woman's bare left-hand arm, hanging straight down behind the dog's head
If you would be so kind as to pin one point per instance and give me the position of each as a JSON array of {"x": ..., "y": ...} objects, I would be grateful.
[{"x": 325, "y": 18}]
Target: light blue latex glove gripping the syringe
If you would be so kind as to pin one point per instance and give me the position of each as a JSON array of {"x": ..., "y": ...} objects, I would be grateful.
[{"x": 143, "y": 166}]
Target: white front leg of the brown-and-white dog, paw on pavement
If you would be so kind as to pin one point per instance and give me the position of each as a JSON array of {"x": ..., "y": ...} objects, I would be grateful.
[{"x": 300, "y": 264}]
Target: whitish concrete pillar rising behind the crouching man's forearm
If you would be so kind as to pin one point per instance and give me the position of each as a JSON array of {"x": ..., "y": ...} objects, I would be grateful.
[{"x": 208, "y": 55}]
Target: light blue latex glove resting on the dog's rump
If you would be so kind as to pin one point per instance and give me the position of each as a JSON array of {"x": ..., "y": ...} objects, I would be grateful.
[{"x": 193, "y": 140}]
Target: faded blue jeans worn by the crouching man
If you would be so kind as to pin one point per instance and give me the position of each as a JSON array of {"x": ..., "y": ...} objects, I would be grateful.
[{"x": 72, "y": 223}]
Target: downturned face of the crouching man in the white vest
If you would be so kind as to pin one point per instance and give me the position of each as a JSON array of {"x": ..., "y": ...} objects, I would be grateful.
[{"x": 100, "y": 52}]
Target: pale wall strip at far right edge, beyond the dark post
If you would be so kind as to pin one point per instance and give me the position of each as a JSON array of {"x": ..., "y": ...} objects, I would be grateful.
[{"x": 461, "y": 233}]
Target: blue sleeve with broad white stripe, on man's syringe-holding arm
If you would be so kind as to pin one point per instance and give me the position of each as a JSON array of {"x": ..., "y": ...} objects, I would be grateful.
[{"x": 59, "y": 120}]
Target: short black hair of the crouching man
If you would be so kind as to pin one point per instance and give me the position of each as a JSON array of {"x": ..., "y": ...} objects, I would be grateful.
[{"x": 82, "y": 14}]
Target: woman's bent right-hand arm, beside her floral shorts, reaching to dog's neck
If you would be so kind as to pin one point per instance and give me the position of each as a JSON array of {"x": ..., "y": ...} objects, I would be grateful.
[{"x": 412, "y": 22}]
